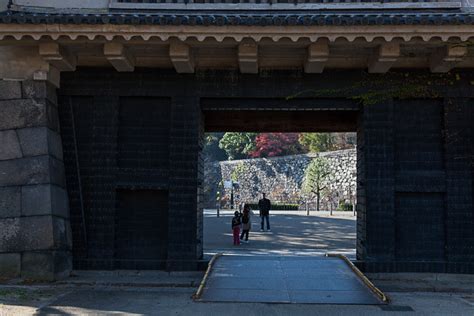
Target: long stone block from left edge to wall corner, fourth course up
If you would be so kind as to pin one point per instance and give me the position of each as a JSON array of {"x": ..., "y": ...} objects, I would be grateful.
[{"x": 32, "y": 170}]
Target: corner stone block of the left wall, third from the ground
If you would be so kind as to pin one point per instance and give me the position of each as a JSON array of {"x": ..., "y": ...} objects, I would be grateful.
[{"x": 44, "y": 199}]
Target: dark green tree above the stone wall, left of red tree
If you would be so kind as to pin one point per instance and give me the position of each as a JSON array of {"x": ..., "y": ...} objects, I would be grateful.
[{"x": 237, "y": 145}]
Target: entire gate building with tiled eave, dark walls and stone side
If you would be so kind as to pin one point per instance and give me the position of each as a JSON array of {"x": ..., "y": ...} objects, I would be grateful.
[{"x": 103, "y": 115}]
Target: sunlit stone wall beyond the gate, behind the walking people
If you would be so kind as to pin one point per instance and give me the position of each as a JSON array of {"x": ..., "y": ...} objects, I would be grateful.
[{"x": 282, "y": 177}]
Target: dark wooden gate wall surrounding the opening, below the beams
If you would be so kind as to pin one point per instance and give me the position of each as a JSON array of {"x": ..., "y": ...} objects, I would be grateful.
[{"x": 132, "y": 153}]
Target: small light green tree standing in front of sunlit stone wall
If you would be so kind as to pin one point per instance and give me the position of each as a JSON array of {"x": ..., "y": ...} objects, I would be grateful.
[{"x": 315, "y": 179}]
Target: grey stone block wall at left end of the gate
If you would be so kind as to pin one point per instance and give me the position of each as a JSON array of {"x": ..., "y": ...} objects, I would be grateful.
[{"x": 35, "y": 232}]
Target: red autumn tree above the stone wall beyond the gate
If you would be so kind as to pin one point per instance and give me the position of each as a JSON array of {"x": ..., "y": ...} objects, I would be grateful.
[{"x": 276, "y": 144}]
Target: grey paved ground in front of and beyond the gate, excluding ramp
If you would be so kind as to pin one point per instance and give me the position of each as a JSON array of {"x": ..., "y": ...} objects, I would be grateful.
[{"x": 160, "y": 293}]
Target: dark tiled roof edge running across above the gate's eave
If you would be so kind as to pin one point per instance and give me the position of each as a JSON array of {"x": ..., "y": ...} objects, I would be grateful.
[{"x": 266, "y": 18}]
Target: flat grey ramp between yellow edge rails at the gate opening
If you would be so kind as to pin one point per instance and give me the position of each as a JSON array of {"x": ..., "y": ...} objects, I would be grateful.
[{"x": 285, "y": 279}]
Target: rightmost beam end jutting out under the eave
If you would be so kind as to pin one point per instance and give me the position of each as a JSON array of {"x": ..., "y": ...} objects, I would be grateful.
[{"x": 445, "y": 58}]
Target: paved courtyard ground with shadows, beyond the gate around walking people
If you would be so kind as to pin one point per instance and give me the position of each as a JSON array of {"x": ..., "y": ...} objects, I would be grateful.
[{"x": 293, "y": 233}]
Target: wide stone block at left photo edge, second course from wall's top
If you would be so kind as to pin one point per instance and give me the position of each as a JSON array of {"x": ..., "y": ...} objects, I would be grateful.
[{"x": 23, "y": 113}]
